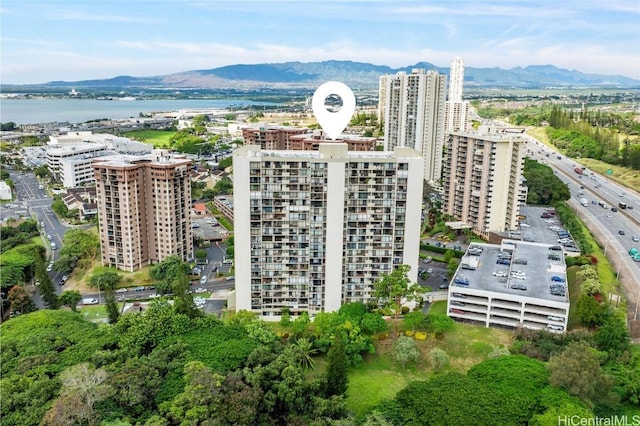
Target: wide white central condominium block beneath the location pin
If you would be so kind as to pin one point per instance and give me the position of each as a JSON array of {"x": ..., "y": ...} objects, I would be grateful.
[{"x": 316, "y": 229}]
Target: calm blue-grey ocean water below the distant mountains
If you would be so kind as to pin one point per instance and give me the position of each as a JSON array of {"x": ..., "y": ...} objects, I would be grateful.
[{"x": 33, "y": 111}]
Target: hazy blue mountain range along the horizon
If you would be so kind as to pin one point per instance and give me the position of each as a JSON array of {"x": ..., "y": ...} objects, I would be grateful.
[{"x": 357, "y": 75}]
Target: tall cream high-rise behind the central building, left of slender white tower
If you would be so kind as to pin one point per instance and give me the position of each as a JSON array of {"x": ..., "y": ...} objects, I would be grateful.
[{"x": 414, "y": 107}]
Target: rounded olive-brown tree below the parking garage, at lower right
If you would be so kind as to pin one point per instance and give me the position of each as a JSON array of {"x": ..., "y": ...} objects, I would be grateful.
[{"x": 577, "y": 369}]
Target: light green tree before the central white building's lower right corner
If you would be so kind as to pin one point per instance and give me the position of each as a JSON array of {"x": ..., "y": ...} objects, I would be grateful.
[{"x": 394, "y": 289}]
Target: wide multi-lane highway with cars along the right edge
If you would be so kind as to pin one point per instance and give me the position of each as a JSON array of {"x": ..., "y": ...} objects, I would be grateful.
[{"x": 614, "y": 230}]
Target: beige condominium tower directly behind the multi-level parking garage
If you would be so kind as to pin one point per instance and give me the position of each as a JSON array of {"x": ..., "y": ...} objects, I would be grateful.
[{"x": 483, "y": 179}]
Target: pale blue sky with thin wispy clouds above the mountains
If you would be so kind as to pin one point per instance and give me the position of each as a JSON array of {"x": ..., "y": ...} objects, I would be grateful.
[{"x": 71, "y": 40}]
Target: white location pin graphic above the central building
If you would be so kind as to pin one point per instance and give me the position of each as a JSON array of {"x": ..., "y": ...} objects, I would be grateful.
[{"x": 333, "y": 123}]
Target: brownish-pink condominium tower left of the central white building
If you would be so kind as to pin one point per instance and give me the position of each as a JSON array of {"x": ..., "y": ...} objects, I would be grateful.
[{"x": 143, "y": 209}]
